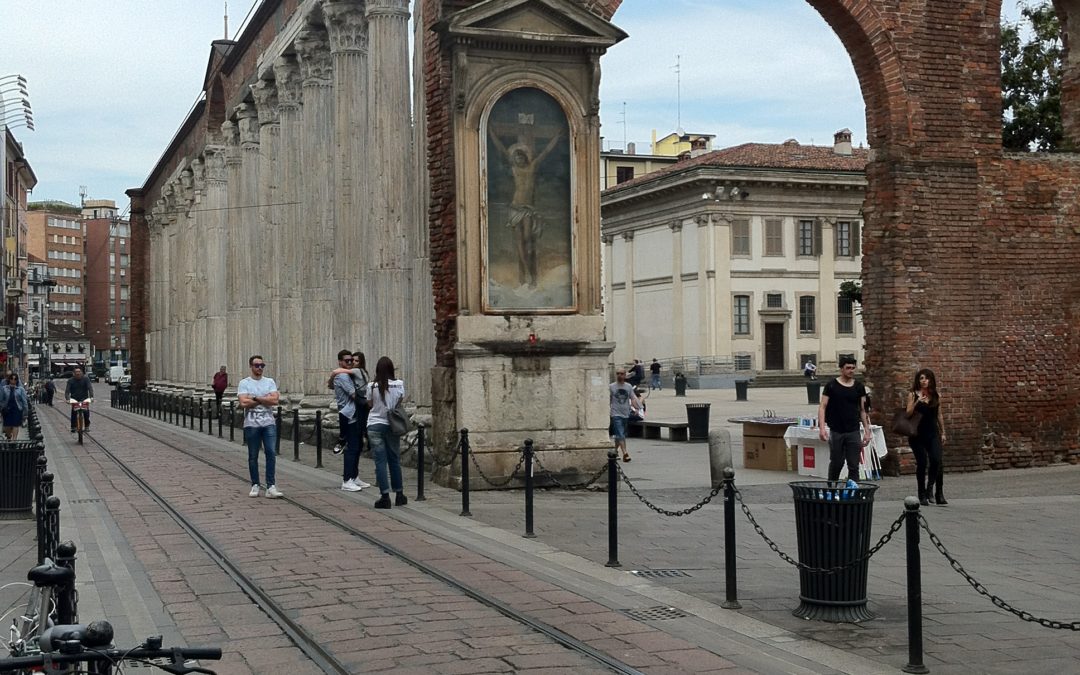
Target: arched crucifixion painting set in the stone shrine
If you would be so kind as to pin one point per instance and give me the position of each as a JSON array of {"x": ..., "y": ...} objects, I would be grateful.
[{"x": 530, "y": 239}]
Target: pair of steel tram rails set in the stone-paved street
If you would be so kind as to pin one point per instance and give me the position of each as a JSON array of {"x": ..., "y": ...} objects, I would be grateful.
[{"x": 301, "y": 638}]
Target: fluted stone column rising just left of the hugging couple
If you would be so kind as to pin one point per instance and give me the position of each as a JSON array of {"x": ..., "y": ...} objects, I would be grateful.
[{"x": 317, "y": 163}]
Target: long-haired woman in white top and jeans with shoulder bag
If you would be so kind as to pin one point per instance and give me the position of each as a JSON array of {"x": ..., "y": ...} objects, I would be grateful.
[{"x": 383, "y": 396}]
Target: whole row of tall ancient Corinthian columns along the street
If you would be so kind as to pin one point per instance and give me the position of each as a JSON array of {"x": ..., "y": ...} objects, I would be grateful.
[{"x": 296, "y": 232}]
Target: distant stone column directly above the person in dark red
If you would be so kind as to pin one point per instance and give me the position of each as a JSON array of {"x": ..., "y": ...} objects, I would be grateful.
[{"x": 217, "y": 201}]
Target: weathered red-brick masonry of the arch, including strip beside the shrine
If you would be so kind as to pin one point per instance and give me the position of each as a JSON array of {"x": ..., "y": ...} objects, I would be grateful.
[{"x": 971, "y": 259}]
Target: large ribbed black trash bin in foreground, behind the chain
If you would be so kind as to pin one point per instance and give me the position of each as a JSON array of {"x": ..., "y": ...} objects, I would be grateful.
[{"x": 833, "y": 526}]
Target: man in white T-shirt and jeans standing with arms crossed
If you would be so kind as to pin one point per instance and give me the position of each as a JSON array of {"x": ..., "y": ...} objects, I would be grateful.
[{"x": 258, "y": 396}]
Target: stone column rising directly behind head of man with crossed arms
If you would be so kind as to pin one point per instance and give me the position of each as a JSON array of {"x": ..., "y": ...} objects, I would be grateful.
[{"x": 267, "y": 245}]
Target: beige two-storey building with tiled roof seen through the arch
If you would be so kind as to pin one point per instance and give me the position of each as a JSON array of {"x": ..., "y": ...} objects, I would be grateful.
[{"x": 736, "y": 258}]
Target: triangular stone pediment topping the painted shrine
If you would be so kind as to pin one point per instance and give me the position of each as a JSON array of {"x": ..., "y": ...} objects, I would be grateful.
[{"x": 551, "y": 22}]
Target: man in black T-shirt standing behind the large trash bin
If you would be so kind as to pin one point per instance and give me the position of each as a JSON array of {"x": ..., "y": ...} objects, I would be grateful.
[{"x": 843, "y": 408}]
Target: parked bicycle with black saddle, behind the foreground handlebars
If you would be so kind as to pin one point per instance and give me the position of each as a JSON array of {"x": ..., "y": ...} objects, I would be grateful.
[{"x": 50, "y": 602}]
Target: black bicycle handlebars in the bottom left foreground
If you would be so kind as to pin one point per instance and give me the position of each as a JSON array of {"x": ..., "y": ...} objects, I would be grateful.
[{"x": 65, "y": 647}]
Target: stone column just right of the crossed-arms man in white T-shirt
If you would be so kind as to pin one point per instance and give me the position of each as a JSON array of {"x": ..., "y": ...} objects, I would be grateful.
[{"x": 289, "y": 317}]
